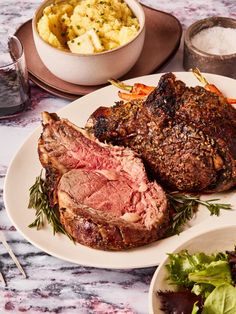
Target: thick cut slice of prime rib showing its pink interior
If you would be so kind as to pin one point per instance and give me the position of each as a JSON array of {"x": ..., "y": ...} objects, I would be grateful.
[{"x": 104, "y": 197}]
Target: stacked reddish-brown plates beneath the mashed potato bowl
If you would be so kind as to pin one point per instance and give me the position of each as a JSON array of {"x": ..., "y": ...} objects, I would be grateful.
[{"x": 163, "y": 34}]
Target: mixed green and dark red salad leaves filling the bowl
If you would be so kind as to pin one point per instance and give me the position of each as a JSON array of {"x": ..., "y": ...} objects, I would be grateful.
[{"x": 209, "y": 277}]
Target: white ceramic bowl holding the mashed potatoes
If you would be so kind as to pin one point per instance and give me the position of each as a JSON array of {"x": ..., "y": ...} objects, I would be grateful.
[{"x": 90, "y": 69}]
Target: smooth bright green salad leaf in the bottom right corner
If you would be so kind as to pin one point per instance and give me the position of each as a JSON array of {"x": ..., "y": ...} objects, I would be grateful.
[{"x": 222, "y": 300}]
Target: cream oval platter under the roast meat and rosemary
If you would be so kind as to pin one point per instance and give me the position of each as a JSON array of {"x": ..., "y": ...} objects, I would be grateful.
[{"x": 25, "y": 166}]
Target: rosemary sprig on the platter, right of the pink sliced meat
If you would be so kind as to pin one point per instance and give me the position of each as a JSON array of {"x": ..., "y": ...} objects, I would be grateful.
[{"x": 184, "y": 207}]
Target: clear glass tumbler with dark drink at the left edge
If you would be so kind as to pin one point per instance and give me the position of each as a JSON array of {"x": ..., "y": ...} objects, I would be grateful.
[{"x": 14, "y": 84}]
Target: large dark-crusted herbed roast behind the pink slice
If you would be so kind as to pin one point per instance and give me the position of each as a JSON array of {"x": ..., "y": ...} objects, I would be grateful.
[{"x": 186, "y": 136}]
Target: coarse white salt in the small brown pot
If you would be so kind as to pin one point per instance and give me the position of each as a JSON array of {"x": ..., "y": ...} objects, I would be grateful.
[{"x": 216, "y": 40}]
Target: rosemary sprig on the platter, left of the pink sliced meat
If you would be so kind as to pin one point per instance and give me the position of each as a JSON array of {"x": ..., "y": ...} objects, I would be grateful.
[{"x": 44, "y": 212}]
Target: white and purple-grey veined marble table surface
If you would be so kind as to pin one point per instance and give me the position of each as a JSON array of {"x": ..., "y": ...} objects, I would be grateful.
[{"x": 53, "y": 285}]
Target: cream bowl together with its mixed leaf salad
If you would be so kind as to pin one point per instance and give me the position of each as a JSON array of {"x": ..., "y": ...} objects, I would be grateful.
[{"x": 199, "y": 276}]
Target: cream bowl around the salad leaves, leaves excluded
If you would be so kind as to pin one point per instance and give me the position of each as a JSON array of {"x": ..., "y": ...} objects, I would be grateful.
[{"x": 217, "y": 240}]
